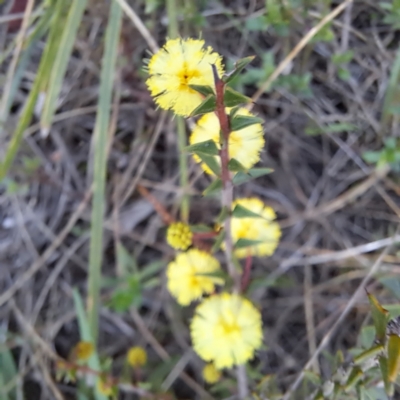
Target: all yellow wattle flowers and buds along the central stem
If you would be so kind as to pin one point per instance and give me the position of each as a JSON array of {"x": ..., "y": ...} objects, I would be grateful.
[{"x": 226, "y": 329}]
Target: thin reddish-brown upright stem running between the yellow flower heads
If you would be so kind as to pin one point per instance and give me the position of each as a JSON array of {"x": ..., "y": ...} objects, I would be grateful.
[{"x": 227, "y": 186}]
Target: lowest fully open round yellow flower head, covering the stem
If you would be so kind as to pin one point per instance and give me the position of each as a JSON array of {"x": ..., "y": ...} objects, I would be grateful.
[{"x": 226, "y": 330}]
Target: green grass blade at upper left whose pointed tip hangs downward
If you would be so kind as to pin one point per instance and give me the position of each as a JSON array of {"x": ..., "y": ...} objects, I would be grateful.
[{"x": 60, "y": 64}]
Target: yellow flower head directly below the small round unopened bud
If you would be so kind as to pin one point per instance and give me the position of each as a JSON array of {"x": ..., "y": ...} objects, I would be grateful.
[{"x": 187, "y": 279}]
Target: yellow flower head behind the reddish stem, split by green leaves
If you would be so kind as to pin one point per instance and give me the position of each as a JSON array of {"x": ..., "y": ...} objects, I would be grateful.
[{"x": 245, "y": 145}]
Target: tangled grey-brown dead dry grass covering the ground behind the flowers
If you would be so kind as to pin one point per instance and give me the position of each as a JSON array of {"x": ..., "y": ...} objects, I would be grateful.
[{"x": 337, "y": 212}]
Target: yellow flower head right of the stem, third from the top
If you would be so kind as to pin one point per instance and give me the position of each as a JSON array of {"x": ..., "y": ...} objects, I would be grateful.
[{"x": 253, "y": 228}]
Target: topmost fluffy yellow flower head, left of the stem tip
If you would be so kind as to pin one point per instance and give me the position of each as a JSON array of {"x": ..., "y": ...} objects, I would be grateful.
[{"x": 180, "y": 63}]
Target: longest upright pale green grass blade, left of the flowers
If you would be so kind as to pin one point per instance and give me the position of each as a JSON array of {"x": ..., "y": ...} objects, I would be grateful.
[{"x": 100, "y": 161}]
